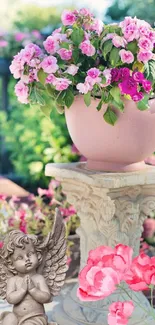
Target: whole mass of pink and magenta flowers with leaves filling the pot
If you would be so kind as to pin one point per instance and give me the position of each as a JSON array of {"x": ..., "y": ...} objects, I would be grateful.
[{"x": 110, "y": 62}]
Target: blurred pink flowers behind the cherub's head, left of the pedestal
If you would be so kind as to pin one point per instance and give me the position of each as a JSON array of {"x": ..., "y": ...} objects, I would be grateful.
[{"x": 35, "y": 215}]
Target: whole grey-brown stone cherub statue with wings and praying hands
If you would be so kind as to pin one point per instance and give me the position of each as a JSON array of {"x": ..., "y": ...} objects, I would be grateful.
[{"x": 31, "y": 273}]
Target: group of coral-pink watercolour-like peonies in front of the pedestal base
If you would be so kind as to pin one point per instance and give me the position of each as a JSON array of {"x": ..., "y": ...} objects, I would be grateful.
[{"x": 107, "y": 269}]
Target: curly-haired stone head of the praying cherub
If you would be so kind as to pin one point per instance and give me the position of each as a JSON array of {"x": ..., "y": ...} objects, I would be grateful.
[{"x": 21, "y": 253}]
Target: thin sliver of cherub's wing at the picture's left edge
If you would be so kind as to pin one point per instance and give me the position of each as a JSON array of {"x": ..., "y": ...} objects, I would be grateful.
[{"x": 3, "y": 279}]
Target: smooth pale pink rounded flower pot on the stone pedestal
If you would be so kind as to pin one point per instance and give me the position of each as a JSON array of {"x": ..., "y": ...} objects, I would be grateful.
[{"x": 122, "y": 147}]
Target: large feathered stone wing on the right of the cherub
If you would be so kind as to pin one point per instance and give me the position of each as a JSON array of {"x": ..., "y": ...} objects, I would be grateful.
[{"x": 54, "y": 265}]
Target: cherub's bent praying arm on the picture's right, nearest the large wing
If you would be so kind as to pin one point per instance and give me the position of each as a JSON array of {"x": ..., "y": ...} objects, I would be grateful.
[{"x": 41, "y": 294}]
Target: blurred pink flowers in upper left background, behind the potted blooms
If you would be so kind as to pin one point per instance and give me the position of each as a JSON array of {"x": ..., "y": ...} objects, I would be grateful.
[{"x": 12, "y": 42}]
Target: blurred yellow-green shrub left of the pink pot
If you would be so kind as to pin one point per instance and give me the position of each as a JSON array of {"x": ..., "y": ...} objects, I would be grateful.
[{"x": 33, "y": 140}]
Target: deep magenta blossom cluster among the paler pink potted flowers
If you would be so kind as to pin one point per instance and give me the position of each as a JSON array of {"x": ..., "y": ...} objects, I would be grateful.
[{"x": 131, "y": 83}]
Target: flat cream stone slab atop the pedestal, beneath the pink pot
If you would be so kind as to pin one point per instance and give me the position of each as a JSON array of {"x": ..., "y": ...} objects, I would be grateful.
[{"x": 78, "y": 172}]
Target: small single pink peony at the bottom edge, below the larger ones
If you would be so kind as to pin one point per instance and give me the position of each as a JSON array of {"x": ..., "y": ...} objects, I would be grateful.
[{"x": 119, "y": 312}]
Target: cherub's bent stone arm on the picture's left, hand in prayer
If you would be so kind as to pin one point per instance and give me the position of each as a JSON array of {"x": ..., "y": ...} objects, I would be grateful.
[{"x": 14, "y": 296}]
